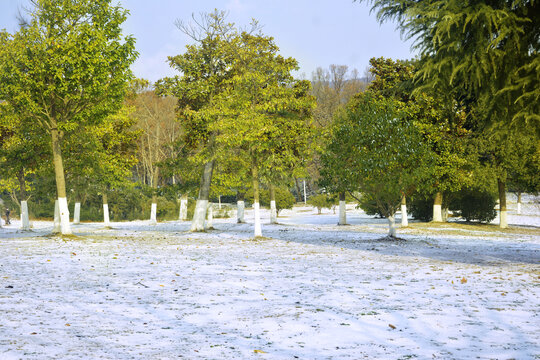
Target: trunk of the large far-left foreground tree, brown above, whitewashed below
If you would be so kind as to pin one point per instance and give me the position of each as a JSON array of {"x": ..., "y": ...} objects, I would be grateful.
[{"x": 65, "y": 227}]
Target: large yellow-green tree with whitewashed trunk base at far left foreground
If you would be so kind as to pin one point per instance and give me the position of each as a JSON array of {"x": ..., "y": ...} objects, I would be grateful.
[{"x": 67, "y": 68}]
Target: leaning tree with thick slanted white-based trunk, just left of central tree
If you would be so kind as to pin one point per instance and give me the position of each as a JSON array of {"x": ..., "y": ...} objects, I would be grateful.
[{"x": 205, "y": 67}]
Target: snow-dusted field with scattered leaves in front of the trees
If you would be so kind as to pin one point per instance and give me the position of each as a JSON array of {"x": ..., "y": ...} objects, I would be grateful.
[{"x": 308, "y": 290}]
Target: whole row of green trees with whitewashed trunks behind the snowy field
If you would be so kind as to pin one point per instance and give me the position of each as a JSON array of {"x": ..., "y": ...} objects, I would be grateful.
[{"x": 454, "y": 129}]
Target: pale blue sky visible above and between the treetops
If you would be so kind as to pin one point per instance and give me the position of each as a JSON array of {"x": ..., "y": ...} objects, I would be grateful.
[{"x": 315, "y": 32}]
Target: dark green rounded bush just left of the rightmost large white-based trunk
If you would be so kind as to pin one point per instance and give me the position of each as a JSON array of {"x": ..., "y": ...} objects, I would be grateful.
[{"x": 474, "y": 205}]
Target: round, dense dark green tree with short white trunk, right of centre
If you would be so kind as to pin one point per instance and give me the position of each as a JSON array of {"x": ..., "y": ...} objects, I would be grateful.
[{"x": 379, "y": 152}]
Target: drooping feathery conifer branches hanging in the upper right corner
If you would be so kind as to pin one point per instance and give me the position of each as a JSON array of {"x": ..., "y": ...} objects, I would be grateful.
[{"x": 489, "y": 48}]
